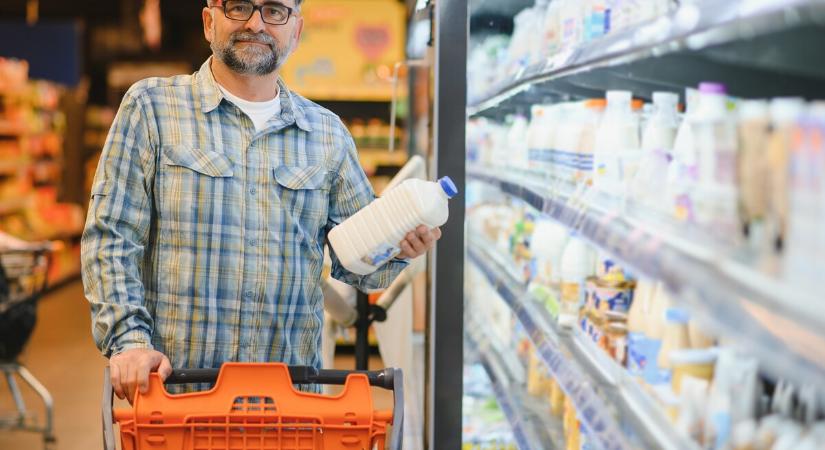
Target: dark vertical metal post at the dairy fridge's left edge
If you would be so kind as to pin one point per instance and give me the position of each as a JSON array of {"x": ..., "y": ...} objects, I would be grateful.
[{"x": 446, "y": 307}]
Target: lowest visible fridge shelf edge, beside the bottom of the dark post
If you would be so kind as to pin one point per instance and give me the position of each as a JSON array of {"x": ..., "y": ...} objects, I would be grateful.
[{"x": 533, "y": 428}]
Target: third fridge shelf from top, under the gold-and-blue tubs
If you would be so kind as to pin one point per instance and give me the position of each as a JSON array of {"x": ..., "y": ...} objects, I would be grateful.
[{"x": 584, "y": 372}]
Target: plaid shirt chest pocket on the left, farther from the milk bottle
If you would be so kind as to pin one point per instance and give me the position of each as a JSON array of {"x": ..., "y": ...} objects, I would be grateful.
[{"x": 196, "y": 185}]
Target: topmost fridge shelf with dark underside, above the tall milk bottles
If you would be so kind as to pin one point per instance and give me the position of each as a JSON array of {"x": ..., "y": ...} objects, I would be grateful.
[{"x": 759, "y": 49}]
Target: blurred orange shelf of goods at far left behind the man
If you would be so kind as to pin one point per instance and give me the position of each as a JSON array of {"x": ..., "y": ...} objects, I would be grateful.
[{"x": 31, "y": 153}]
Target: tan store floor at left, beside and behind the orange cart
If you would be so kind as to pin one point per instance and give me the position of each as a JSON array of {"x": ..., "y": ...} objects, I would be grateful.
[{"x": 62, "y": 355}]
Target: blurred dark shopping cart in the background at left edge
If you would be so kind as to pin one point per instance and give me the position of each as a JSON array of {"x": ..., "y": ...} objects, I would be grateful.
[{"x": 23, "y": 272}]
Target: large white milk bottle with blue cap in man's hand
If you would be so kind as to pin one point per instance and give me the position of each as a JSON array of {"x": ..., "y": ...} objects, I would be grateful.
[{"x": 371, "y": 237}]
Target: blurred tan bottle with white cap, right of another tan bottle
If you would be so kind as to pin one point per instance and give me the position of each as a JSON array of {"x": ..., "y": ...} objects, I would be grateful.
[{"x": 785, "y": 113}]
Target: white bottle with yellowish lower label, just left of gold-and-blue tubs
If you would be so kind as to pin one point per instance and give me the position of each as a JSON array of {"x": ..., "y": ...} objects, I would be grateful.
[{"x": 577, "y": 263}]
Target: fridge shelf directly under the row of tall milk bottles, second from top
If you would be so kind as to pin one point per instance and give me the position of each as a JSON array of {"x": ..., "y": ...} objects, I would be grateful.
[{"x": 774, "y": 321}]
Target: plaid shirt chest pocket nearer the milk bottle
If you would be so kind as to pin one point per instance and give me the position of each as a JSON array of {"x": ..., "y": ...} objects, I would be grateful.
[{"x": 304, "y": 196}]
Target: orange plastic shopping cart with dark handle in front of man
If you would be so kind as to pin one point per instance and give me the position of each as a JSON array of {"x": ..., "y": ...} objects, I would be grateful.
[{"x": 254, "y": 406}]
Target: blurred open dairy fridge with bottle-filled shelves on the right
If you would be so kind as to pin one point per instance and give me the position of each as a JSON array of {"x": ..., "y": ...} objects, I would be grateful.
[{"x": 660, "y": 244}]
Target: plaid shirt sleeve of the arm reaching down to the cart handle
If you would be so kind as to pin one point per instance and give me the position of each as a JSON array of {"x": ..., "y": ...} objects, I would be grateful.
[{"x": 117, "y": 230}]
